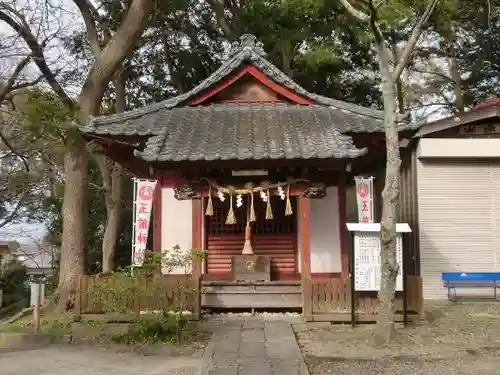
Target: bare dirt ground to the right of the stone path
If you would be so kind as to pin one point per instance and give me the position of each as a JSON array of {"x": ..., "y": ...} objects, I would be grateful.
[{"x": 452, "y": 339}]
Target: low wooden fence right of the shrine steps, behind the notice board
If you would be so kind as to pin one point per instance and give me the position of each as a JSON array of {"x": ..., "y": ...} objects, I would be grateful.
[{"x": 330, "y": 300}]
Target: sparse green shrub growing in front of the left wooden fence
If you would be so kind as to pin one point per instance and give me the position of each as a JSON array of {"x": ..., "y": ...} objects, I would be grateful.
[{"x": 150, "y": 291}]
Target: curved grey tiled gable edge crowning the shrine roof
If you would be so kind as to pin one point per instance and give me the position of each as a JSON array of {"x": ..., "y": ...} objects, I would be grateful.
[{"x": 248, "y": 50}]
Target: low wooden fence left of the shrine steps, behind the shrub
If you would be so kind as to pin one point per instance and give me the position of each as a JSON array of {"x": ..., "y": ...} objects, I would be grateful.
[{"x": 136, "y": 294}]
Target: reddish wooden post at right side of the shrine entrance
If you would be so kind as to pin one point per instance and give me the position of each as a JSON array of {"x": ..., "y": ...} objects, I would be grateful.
[{"x": 304, "y": 208}]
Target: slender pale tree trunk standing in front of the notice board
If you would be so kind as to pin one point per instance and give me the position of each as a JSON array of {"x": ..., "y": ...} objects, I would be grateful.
[{"x": 390, "y": 201}]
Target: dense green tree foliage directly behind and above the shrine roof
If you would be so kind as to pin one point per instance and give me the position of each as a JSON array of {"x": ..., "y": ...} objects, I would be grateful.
[{"x": 314, "y": 42}]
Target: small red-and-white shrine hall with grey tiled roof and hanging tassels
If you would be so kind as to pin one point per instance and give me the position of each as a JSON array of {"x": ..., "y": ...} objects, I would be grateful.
[{"x": 253, "y": 169}]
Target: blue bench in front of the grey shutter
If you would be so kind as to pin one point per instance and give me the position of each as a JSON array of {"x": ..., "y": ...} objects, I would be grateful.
[{"x": 471, "y": 280}]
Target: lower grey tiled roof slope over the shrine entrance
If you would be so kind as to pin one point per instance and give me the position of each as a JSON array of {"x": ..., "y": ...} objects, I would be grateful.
[{"x": 249, "y": 131}]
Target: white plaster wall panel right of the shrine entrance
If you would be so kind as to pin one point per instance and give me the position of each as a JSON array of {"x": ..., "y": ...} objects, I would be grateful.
[{"x": 325, "y": 234}]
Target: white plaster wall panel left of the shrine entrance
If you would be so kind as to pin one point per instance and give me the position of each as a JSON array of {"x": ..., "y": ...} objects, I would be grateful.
[{"x": 176, "y": 223}]
